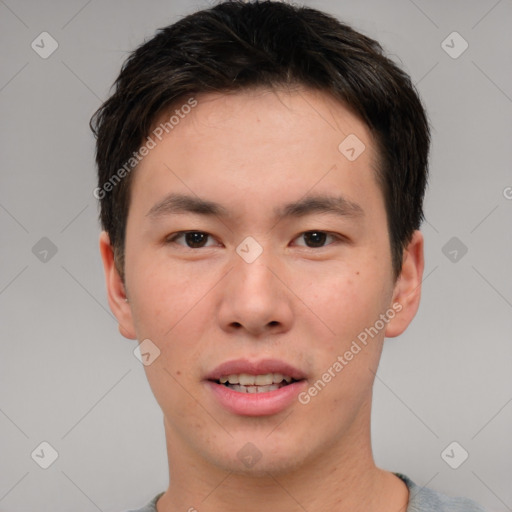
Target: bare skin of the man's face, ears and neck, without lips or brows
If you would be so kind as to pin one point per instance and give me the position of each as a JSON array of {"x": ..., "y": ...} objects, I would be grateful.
[{"x": 253, "y": 151}]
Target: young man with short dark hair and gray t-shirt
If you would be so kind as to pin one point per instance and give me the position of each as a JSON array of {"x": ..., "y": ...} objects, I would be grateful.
[{"x": 261, "y": 177}]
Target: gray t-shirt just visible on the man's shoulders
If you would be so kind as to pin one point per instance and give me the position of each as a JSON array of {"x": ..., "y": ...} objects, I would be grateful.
[{"x": 421, "y": 499}]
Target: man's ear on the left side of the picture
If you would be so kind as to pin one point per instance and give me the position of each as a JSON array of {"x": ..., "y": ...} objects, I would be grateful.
[{"x": 116, "y": 290}]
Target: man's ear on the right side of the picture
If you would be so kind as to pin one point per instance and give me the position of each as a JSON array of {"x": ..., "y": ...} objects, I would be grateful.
[{"x": 407, "y": 292}]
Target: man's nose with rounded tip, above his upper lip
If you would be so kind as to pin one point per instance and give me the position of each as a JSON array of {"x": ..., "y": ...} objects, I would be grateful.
[{"x": 255, "y": 298}]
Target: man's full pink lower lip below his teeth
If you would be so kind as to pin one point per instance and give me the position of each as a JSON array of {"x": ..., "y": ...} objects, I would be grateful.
[{"x": 256, "y": 404}]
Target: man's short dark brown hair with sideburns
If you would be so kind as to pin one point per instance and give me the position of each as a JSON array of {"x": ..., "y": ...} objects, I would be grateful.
[{"x": 237, "y": 45}]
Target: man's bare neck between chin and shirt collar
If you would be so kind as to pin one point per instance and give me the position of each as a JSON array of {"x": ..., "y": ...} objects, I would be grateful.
[{"x": 341, "y": 477}]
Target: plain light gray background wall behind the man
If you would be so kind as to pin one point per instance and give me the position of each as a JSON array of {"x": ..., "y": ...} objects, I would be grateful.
[{"x": 68, "y": 377}]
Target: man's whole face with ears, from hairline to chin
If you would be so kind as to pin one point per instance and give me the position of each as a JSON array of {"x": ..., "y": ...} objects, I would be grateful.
[{"x": 257, "y": 245}]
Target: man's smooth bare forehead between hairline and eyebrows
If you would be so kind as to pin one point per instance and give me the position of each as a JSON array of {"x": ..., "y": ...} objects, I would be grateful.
[{"x": 254, "y": 141}]
